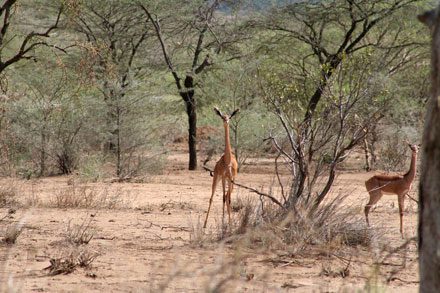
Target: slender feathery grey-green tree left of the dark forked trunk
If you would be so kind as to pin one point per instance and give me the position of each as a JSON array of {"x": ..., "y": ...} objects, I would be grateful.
[{"x": 114, "y": 35}]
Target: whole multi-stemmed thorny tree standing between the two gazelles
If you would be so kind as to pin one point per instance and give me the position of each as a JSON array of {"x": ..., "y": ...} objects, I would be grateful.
[{"x": 314, "y": 82}]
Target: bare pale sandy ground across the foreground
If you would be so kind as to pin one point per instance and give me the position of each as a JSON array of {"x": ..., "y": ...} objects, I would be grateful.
[{"x": 147, "y": 242}]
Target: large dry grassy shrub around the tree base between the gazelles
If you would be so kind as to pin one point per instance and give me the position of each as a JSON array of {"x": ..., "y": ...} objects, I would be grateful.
[{"x": 258, "y": 226}]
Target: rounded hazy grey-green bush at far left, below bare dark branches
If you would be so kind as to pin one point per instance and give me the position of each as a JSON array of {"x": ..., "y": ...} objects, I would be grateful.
[{"x": 46, "y": 118}]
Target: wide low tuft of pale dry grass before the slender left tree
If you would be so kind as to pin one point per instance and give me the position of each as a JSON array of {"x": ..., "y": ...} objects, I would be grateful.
[{"x": 85, "y": 197}]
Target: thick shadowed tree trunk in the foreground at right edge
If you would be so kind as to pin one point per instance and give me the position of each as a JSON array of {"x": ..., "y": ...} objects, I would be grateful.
[{"x": 429, "y": 216}]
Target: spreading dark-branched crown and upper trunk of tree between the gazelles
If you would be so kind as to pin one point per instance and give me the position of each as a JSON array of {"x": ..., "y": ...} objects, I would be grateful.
[{"x": 335, "y": 30}]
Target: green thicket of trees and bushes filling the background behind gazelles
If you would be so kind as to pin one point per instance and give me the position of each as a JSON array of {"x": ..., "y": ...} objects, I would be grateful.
[{"x": 113, "y": 86}]
